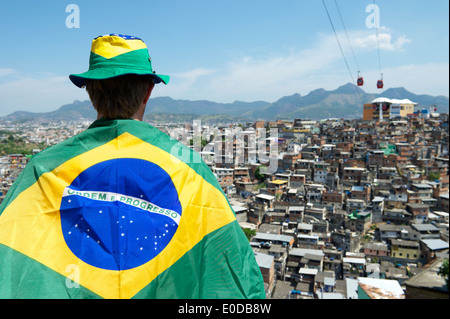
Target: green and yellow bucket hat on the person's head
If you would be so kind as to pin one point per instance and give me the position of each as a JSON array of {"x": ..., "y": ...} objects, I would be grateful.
[{"x": 114, "y": 55}]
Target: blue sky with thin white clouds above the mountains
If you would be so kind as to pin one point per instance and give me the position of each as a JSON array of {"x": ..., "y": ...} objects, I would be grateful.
[{"x": 223, "y": 51}]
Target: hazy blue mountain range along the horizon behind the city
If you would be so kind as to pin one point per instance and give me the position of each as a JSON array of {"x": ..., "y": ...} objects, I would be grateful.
[{"x": 344, "y": 102}]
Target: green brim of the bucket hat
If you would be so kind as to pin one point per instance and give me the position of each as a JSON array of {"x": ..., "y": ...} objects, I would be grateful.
[{"x": 102, "y": 74}]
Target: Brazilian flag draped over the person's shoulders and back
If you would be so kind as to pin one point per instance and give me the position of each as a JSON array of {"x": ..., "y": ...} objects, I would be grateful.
[{"x": 122, "y": 211}]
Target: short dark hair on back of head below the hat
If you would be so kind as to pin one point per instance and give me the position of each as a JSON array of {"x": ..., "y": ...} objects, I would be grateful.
[{"x": 119, "y": 97}]
